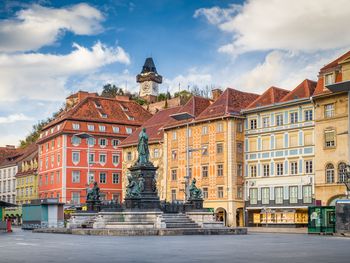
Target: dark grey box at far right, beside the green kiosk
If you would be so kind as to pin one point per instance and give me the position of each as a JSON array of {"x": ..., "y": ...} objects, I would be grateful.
[{"x": 342, "y": 211}]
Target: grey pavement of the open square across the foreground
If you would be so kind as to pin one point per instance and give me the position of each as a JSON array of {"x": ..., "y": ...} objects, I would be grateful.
[{"x": 24, "y": 246}]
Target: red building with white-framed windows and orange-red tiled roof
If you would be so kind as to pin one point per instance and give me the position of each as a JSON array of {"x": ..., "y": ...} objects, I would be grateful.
[{"x": 90, "y": 125}]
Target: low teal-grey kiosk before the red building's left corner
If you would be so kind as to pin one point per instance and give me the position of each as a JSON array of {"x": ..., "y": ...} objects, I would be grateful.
[{"x": 43, "y": 213}]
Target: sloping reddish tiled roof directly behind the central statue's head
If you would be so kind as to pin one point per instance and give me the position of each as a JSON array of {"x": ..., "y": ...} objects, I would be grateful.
[{"x": 154, "y": 127}]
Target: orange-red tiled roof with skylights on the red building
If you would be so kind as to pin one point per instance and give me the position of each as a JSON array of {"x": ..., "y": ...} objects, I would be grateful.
[{"x": 105, "y": 110}]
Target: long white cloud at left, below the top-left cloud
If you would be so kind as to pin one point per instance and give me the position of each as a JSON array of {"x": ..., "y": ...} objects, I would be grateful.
[{"x": 44, "y": 76}]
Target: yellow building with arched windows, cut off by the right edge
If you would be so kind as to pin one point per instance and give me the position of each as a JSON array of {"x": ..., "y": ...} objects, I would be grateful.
[{"x": 331, "y": 131}]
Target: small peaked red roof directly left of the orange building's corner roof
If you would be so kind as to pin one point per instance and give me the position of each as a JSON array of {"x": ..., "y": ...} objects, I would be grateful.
[{"x": 195, "y": 106}]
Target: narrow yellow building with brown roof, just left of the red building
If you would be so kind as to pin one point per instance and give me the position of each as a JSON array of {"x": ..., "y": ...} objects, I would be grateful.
[{"x": 27, "y": 176}]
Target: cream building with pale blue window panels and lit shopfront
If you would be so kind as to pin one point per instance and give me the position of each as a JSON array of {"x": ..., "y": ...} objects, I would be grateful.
[{"x": 280, "y": 157}]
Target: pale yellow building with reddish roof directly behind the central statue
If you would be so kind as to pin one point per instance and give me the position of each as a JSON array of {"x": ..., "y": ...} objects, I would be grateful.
[{"x": 154, "y": 129}]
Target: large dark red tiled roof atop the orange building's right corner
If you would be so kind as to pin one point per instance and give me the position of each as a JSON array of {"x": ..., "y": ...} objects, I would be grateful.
[{"x": 230, "y": 102}]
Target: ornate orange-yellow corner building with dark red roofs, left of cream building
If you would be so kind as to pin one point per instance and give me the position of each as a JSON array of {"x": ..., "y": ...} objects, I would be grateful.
[{"x": 215, "y": 139}]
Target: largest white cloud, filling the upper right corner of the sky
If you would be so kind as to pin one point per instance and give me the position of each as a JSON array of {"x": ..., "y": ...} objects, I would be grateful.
[{"x": 299, "y": 25}]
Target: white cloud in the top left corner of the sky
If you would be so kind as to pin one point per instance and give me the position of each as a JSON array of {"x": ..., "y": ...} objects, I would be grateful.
[{"x": 39, "y": 26}]
